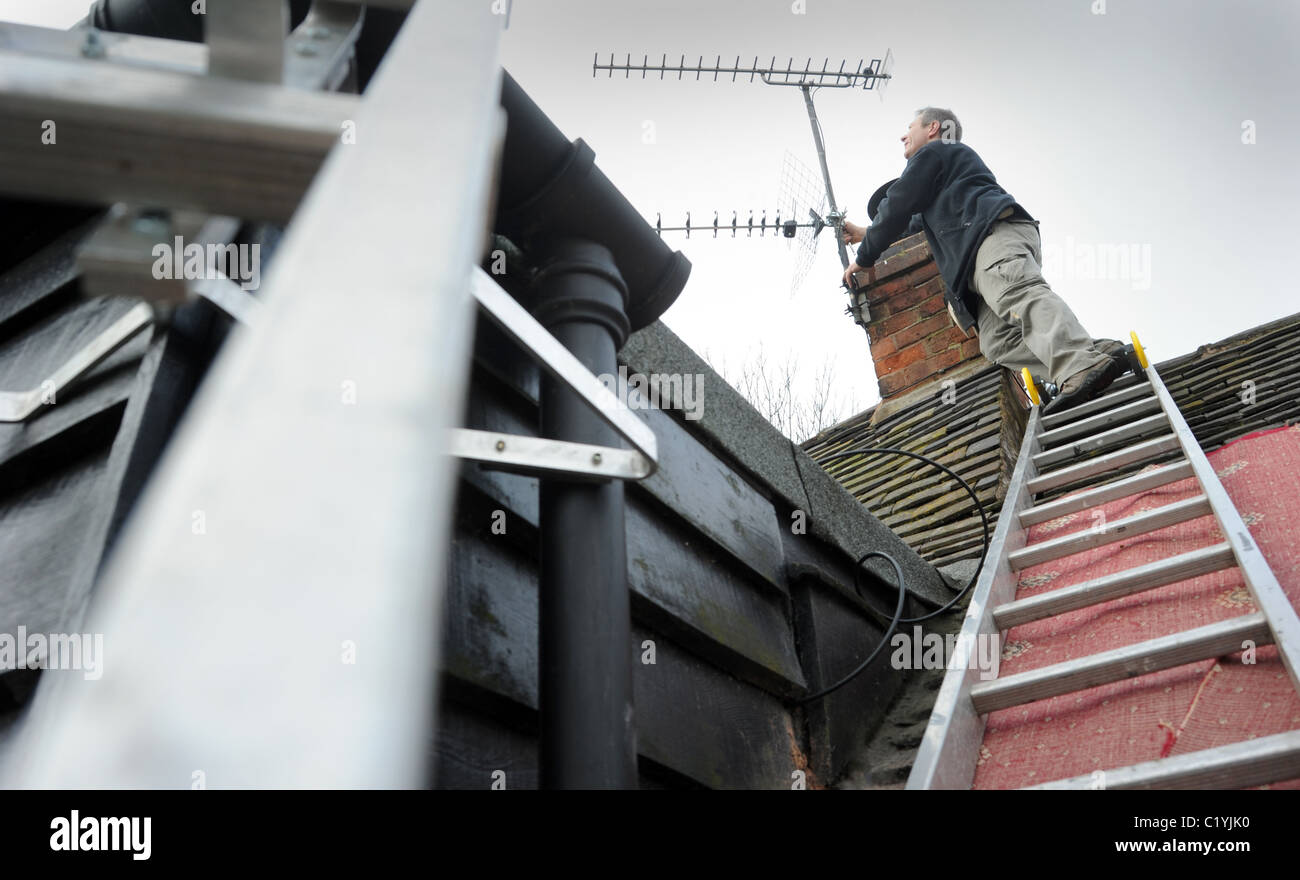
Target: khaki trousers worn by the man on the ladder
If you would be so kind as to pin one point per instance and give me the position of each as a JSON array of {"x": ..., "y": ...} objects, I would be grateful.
[{"x": 1022, "y": 322}]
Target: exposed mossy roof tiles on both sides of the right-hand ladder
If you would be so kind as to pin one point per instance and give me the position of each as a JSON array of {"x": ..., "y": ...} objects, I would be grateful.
[{"x": 976, "y": 427}]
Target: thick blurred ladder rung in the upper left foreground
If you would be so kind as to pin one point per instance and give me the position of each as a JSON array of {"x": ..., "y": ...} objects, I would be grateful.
[{"x": 162, "y": 138}]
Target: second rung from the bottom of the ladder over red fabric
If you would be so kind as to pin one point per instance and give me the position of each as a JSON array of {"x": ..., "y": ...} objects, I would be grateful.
[{"x": 1164, "y": 653}]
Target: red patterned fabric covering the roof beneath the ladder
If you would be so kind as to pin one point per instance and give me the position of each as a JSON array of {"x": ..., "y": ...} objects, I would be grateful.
[{"x": 1176, "y": 712}]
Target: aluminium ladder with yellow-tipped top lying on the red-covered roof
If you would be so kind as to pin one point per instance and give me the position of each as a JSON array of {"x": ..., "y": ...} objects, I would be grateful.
[{"x": 1136, "y": 422}]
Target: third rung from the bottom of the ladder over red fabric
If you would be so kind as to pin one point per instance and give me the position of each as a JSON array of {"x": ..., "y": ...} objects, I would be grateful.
[{"x": 1113, "y": 587}]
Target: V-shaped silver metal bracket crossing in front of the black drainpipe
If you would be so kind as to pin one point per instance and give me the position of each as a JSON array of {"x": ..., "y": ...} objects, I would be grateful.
[{"x": 539, "y": 454}]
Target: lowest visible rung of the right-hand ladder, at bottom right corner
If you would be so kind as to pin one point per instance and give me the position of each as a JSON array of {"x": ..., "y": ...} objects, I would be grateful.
[{"x": 1241, "y": 765}]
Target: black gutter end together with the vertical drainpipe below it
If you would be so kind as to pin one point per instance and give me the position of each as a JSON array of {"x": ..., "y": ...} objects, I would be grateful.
[{"x": 605, "y": 272}]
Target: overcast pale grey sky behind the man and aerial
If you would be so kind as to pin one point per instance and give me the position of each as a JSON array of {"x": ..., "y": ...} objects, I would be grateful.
[{"x": 1113, "y": 129}]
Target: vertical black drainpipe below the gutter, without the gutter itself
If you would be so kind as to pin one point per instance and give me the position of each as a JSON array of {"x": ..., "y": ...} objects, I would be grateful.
[{"x": 586, "y": 678}]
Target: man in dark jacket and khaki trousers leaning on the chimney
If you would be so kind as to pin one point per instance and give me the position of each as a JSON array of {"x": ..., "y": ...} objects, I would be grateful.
[{"x": 990, "y": 254}]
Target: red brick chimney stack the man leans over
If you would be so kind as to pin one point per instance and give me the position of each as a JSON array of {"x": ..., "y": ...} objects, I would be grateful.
[{"x": 915, "y": 341}]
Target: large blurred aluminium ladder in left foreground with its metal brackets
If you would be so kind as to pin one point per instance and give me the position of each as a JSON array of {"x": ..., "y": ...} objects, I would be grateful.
[{"x": 261, "y": 124}]
